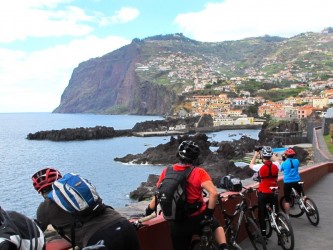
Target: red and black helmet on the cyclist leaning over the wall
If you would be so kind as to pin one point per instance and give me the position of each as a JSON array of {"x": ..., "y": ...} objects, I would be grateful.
[{"x": 44, "y": 178}]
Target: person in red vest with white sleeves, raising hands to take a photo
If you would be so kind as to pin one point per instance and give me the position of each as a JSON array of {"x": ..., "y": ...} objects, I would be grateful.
[{"x": 268, "y": 174}]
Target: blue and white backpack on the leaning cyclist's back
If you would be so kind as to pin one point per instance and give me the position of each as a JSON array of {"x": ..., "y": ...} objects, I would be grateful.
[{"x": 76, "y": 195}]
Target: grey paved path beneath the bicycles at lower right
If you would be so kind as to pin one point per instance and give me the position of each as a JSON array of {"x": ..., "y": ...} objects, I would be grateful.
[{"x": 308, "y": 237}]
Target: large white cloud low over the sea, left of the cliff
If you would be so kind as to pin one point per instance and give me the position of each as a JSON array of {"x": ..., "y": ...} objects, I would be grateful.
[{"x": 34, "y": 81}]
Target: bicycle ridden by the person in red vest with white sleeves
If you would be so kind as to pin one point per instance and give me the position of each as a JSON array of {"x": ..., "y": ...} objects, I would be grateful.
[{"x": 279, "y": 222}]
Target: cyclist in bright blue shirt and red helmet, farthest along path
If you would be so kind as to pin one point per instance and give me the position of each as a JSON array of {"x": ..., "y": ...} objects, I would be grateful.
[{"x": 291, "y": 176}]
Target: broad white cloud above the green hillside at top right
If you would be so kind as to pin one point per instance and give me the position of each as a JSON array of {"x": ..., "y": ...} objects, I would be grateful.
[{"x": 238, "y": 19}]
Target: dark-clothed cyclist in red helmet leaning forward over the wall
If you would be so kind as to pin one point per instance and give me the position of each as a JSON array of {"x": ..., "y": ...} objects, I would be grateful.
[{"x": 115, "y": 230}]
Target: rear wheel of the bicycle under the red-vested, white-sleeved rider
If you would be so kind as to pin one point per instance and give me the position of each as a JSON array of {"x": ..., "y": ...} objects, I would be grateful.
[{"x": 286, "y": 235}]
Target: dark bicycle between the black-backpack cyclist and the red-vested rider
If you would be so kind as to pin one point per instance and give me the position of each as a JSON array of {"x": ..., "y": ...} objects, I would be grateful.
[{"x": 241, "y": 211}]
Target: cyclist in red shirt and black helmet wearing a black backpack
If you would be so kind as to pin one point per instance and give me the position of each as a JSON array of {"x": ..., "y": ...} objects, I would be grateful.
[{"x": 198, "y": 179}]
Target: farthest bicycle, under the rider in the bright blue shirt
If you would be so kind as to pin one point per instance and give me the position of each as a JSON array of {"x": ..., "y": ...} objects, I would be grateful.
[{"x": 301, "y": 204}]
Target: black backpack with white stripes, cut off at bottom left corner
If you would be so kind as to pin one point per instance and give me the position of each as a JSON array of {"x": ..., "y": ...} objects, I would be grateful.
[{"x": 20, "y": 231}]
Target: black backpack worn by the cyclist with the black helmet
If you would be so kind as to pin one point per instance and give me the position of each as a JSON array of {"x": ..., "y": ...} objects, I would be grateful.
[{"x": 171, "y": 194}]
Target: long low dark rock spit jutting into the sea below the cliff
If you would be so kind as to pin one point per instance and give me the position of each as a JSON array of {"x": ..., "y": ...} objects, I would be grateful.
[{"x": 190, "y": 125}]
